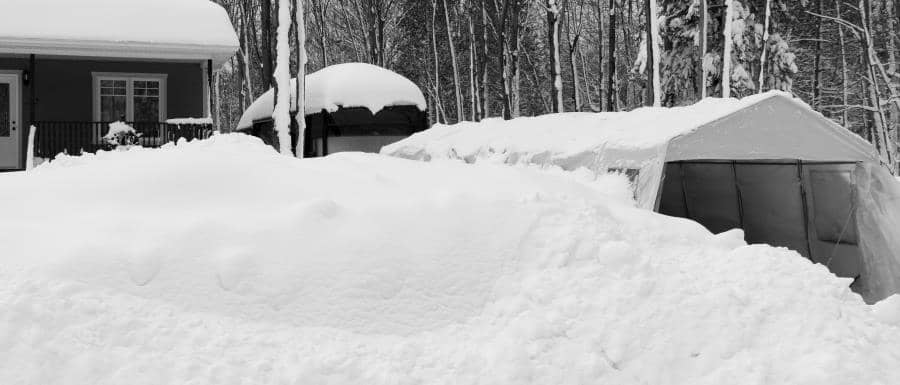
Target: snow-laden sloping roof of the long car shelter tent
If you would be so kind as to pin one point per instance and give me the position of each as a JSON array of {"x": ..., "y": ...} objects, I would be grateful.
[{"x": 575, "y": 136}]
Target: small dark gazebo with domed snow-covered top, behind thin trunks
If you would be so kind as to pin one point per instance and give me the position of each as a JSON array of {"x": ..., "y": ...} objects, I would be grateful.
[{"x": 349, "y": 107}]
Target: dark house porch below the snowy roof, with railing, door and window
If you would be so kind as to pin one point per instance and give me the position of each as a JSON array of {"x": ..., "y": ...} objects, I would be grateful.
[{"x": 71, "y": 100}]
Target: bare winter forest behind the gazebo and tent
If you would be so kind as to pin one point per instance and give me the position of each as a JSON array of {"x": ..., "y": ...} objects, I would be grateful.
[{"x": 477, "y": 59}]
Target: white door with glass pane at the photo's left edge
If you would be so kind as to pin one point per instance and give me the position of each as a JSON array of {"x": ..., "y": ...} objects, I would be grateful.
[{"x": 10, "y": 122}]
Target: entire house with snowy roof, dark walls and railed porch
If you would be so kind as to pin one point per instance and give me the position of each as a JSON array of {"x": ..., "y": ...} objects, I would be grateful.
[{"x": 69, "y": 68}]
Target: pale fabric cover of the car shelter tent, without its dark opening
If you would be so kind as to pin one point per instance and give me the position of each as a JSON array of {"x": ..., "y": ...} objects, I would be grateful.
[{"x": 769, "y": 126}]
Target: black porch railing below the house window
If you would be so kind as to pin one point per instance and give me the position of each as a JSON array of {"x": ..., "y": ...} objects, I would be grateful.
[{"x": 74, "y": 138}]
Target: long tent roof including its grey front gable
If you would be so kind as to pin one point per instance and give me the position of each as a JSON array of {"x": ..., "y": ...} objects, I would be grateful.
[{"x": 573, "y": 139}]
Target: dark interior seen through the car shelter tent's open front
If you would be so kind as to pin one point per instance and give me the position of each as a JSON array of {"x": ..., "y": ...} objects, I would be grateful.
[{"x": 807, "y": 207}]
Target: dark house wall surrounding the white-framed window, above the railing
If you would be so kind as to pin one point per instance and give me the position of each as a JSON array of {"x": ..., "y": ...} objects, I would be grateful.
[{"x": 64, "y": 87}]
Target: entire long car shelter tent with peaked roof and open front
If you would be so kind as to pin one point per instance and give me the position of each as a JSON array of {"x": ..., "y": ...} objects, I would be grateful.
[{"x": 767, "y": 164}]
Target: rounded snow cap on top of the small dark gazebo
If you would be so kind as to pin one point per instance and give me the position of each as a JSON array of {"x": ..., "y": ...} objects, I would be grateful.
[{"x": 344, "y": 85}]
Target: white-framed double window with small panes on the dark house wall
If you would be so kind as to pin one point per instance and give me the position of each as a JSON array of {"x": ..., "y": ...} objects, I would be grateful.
[{"x": 129, "y": 97}]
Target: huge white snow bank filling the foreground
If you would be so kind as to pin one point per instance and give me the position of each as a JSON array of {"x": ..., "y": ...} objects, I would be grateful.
[{"x": 221, "y": 262}]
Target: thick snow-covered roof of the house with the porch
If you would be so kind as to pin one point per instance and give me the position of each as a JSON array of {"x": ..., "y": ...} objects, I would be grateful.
[{"x": 141, "y": 29}]
